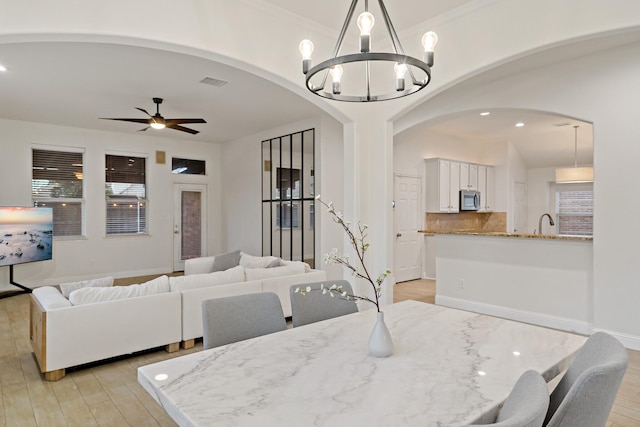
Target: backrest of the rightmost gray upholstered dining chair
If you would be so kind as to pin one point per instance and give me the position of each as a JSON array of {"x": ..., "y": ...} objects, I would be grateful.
[{"x": 585, "y": 394}]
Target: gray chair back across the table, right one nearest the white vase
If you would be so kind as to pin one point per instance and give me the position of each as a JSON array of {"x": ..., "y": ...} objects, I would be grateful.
[{"x": 314, "y": 306}]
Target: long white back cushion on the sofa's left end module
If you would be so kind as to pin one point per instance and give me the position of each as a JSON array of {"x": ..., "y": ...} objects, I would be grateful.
[{"x": 94, "y": 295}]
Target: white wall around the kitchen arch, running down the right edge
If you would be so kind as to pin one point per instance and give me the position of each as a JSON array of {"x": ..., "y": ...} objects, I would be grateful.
[{"x": 599, "y": 89}]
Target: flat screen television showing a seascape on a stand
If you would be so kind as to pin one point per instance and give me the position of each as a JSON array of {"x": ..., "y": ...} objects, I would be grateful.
[{"x": 26, "y": 235}]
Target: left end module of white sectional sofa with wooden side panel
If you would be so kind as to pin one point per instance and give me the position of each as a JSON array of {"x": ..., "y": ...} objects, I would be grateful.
[{"x": 65, "y": 335}]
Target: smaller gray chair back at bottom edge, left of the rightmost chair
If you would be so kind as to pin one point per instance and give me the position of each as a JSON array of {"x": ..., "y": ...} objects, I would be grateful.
[{"x": 527, "y": 403}]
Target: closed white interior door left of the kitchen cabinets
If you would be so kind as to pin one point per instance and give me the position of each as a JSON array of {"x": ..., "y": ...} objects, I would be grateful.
[{"x": 407, "y": 221}]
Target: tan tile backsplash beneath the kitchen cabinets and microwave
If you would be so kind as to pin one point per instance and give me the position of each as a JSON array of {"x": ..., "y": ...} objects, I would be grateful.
[{"x": 467, "y": 221}]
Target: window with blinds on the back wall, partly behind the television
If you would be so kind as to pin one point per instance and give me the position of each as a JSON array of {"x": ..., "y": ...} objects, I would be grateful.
[{"x": 56, "y": 182}]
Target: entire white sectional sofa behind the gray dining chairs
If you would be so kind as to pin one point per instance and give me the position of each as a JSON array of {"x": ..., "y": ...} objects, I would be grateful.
[{"x": 97, "y": 323}]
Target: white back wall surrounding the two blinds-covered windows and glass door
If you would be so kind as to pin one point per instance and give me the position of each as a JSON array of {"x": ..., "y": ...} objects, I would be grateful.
[{"x": 97, "y": 255}]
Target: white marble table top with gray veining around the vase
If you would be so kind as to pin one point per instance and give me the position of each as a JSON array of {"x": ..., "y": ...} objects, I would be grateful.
[{"x": 449, "y": 367}]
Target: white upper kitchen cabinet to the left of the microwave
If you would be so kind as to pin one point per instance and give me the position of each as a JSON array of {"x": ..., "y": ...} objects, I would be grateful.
[{"x": 442, "y": 185}]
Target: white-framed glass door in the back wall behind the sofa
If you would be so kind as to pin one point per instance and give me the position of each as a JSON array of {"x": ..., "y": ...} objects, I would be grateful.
[{"x": 189, "y": 223}]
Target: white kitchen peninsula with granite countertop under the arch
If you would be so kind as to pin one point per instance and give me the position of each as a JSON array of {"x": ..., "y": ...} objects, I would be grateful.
[{"x": 541, "y": 279}]
